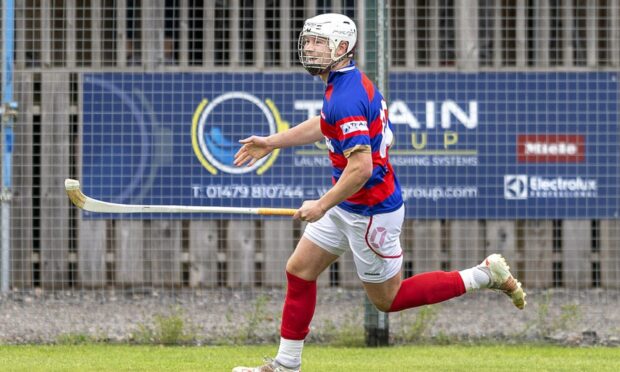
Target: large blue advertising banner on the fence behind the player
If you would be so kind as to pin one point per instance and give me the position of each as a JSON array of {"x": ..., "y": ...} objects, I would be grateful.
[{"x": 467, "y": 146}]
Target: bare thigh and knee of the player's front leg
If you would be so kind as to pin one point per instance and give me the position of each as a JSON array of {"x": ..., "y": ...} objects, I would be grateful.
[{"x": 309, "y": 260}]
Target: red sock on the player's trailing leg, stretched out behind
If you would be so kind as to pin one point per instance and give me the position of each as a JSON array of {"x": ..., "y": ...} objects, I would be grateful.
[{"x": 428, "y": 288}]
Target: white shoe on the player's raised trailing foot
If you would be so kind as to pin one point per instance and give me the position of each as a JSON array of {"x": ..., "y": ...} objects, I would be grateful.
[{"x": 501, "y": 279}]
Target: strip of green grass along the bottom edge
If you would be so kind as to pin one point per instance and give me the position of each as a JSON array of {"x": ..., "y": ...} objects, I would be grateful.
[{"x": 102, "y": 357}]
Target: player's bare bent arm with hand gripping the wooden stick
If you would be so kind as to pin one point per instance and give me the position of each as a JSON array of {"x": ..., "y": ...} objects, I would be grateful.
[{"x": 356, "y": 173}]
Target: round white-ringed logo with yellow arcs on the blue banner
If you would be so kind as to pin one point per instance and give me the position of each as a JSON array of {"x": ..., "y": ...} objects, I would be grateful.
[{"x": 218, "y": 125}]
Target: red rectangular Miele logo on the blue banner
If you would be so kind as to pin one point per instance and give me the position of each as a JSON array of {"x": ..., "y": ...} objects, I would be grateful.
[{"x": 550, "y": 148}]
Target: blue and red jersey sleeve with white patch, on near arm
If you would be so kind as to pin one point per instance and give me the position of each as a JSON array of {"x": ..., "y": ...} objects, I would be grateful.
[{"x": 352, "y": 127}]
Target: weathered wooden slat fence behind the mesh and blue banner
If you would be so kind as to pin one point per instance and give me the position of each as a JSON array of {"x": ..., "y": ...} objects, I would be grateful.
[{"x": 57, "y": 42}]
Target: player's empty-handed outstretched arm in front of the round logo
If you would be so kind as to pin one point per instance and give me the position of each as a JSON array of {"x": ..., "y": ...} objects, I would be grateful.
[{"x": 256, "y": 147}]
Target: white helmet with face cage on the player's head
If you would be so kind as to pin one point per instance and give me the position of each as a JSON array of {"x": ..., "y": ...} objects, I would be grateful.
[{"x": 332, "y": 27}]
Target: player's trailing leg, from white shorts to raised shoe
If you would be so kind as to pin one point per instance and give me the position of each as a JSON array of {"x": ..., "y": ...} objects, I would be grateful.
[{"x": 378, "y": 258}]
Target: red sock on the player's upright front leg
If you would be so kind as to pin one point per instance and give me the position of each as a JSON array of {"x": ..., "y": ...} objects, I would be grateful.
[{"x": 298, "y": 308}]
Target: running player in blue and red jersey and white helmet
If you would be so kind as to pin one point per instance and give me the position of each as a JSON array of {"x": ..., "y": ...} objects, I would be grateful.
[{"x": 363, "y": 211}]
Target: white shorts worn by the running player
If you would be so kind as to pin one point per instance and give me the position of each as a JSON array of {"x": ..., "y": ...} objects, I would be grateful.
[{"x": 374, "y": 240}]
